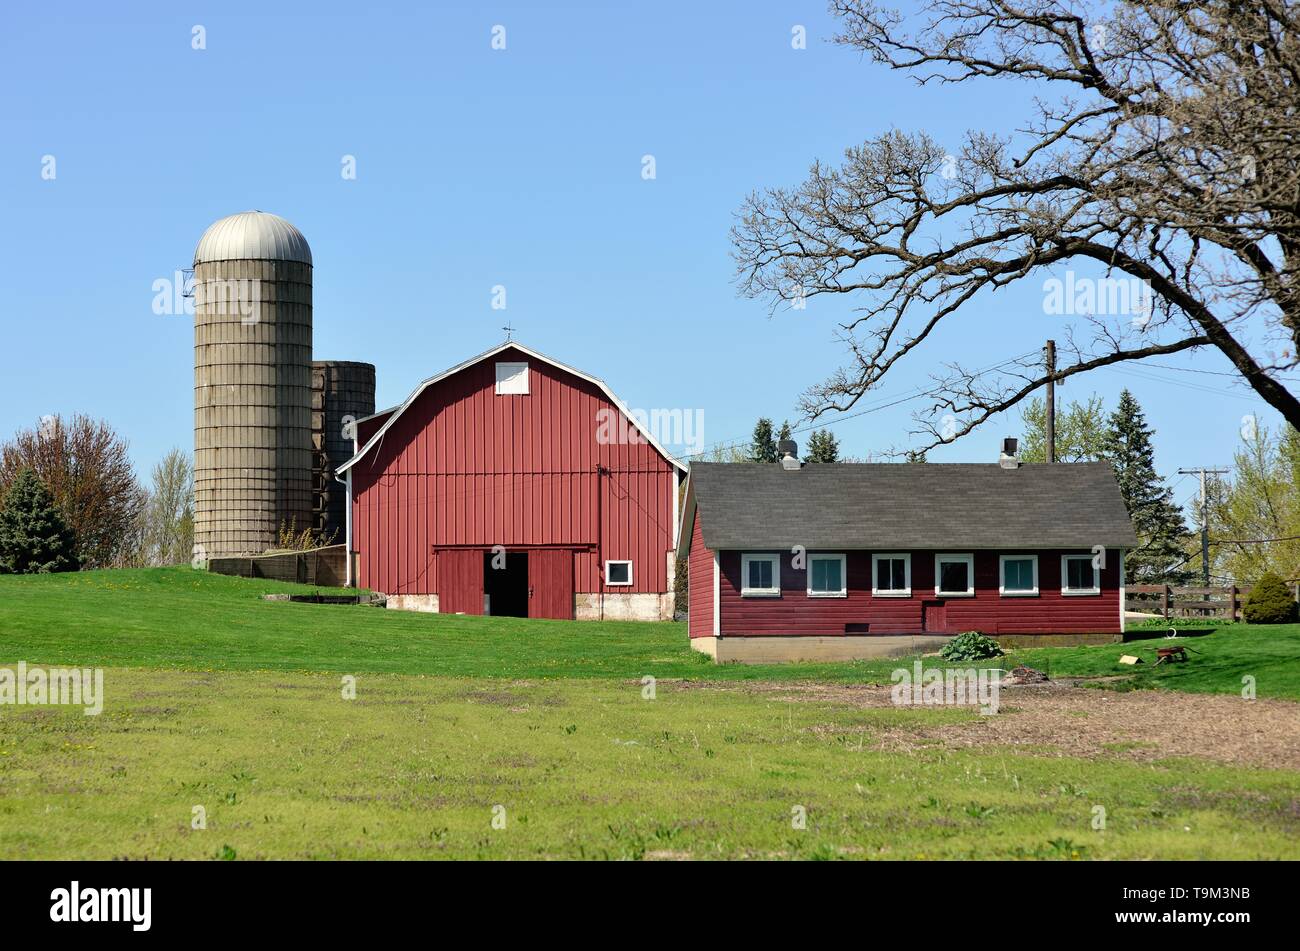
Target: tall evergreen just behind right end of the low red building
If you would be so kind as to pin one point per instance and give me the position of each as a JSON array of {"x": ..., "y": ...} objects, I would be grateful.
[{"x": 1158, "y": 520}]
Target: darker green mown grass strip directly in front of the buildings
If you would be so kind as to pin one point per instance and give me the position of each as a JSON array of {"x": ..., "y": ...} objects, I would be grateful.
[{"x": 179, "y": 618}]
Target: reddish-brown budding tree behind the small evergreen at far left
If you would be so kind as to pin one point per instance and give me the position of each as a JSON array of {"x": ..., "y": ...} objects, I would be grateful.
[{"x": 86, "y": 468}]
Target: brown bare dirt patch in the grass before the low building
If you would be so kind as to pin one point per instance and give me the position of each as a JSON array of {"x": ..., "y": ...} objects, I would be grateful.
[{"x": 1074, "y": 722}]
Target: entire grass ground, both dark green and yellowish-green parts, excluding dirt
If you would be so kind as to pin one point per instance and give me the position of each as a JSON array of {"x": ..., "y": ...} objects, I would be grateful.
[{"x": 220, "y": 701}]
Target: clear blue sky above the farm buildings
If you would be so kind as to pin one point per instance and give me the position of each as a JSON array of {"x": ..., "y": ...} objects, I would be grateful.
[{"x": 476, "y": 168}]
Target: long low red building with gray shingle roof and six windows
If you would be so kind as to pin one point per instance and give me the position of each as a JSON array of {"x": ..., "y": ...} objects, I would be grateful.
[{"x": 855, "y": 561}]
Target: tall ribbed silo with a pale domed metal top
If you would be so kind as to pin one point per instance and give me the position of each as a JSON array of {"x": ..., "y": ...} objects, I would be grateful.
[{"x": 253, "y": 358}]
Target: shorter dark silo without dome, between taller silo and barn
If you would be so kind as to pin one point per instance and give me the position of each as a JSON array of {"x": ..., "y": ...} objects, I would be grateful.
[{"x": 341, "y": 389}]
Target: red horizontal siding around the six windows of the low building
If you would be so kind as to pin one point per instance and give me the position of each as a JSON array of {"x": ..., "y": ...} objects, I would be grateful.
[{"x": 987, "y": 611}]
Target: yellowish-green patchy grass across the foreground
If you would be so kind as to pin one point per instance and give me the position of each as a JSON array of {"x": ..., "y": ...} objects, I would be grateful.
[{"x": 415, "y": 767}]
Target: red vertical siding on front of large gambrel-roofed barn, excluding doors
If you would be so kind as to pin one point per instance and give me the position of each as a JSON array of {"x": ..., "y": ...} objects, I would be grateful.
[{"x": 465, "y": 467}]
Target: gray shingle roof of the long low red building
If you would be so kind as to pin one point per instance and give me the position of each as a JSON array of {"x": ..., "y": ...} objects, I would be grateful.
[{"x": 905, "y": 506}]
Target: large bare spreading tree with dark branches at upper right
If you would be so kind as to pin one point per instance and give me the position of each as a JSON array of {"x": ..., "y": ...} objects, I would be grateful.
[{"x": 1164, "y": 153}]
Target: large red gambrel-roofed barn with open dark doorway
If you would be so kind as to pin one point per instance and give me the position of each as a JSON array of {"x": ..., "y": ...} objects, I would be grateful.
[{"x": 514, "y": 485}]
